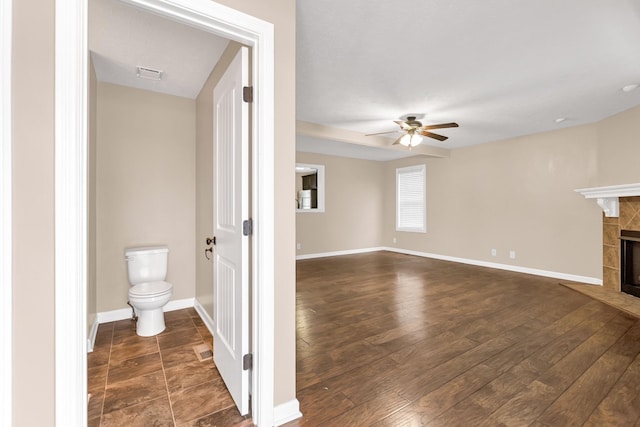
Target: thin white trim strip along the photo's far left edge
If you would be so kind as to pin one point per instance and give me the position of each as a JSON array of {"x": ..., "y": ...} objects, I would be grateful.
[{"x": 6, "y": 239}]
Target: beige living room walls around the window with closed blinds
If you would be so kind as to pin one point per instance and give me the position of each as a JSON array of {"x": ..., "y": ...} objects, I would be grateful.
[{"x": 509, "y": 195}]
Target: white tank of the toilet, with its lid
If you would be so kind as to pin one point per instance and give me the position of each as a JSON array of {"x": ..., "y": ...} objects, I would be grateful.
[{"x": 147, "y": 264}]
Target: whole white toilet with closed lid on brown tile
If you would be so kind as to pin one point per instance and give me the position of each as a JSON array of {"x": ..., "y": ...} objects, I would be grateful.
[{"x": 149, "y": 293}]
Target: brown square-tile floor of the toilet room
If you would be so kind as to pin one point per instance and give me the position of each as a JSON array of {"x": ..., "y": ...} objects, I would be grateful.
[{"x": 157, "y": 381}]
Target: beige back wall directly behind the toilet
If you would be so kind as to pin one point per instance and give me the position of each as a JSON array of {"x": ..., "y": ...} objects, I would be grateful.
[{"x": 145, "y": 187}]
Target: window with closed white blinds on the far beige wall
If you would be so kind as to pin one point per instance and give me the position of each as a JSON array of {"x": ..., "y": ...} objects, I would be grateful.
[{"x": 411, "y": 211}]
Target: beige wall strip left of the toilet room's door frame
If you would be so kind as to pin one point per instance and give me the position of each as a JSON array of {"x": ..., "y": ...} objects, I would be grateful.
[{"x": 33, "y": 220}]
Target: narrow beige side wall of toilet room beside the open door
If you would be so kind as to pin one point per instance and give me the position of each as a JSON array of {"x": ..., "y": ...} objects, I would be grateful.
[{"x": 204, "y": 179}]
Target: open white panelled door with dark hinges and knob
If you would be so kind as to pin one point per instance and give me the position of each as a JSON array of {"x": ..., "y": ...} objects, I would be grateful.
[{"x": 231, "y": 250}]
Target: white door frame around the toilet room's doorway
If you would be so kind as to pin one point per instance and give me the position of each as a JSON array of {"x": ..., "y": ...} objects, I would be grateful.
[{"x": 71, "y": 59}]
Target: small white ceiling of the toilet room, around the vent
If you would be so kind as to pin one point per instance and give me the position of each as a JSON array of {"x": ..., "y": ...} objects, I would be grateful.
[{"x": 122, "y": 37}]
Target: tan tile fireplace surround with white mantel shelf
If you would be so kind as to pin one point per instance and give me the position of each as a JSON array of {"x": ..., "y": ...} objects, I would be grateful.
[{"x": 621, "y": 207}]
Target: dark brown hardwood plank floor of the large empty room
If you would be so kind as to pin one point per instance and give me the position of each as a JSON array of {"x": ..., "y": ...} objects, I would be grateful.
[{"x": 386, "y": 339}]
